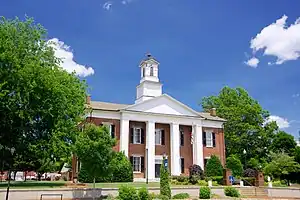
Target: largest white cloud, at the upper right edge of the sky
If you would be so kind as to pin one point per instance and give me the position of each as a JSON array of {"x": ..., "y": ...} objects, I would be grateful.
[{"x": 279, "y": 40}]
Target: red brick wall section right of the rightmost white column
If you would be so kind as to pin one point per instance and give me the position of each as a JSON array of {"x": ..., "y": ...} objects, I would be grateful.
[{"x": 219, "y": 150}]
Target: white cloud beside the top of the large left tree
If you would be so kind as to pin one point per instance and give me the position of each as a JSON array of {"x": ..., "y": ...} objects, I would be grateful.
[{"x": 62, "y": 51}]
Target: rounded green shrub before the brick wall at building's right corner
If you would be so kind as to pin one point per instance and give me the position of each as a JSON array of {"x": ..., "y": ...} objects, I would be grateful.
[{"x": 214, "y": 167}]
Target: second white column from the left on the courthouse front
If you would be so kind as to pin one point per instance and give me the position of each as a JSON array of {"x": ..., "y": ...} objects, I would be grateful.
[{"x": 150, "y": 147}]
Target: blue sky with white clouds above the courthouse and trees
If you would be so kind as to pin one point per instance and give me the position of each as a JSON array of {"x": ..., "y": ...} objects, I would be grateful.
[{"x": 201, "y": 45}]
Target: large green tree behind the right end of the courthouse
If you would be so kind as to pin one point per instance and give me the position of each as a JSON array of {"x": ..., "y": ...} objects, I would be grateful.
[{"x": 245, "y": 127}]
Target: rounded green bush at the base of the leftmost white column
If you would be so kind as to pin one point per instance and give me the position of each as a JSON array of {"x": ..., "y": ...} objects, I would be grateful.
[{"x": 121, "y": 168}]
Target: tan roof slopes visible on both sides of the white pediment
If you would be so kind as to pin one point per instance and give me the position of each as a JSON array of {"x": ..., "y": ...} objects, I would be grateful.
[{"x": 99, "y": 105}]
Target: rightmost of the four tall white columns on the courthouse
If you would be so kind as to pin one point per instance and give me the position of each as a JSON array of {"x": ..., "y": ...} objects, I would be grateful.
[{"x": 198, "y": 146}]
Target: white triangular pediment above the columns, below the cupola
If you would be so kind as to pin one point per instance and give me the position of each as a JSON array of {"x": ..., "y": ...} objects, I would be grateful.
[{"x": 163, "y": 104}]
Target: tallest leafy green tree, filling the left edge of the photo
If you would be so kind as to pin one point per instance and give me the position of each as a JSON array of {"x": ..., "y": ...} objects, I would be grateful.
[{"x": 42, "y": 103}]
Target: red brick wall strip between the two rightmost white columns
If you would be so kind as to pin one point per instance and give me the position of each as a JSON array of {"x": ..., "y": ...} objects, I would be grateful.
[{"x": 186, "y": 151}]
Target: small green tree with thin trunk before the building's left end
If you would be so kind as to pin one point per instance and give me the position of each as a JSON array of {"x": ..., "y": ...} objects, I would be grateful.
[{"x": 94, "y": 149}]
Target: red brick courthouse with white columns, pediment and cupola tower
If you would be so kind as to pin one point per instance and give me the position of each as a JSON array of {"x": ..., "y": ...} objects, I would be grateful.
[{"x": 158, "y": 125}]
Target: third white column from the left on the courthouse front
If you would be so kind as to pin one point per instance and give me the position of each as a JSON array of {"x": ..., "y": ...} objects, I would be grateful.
[{"x": 175, "y": 149}]
